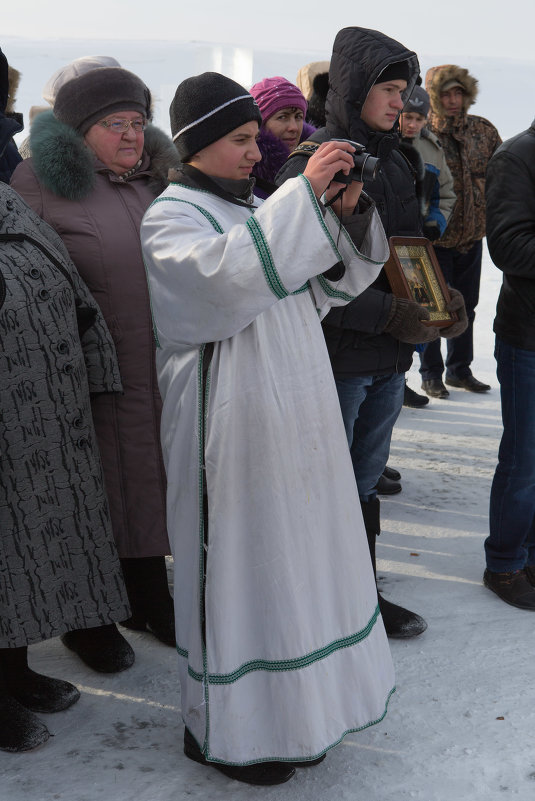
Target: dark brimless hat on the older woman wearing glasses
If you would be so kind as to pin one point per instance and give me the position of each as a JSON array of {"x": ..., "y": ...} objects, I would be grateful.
[{"x": 85, "y": 100}]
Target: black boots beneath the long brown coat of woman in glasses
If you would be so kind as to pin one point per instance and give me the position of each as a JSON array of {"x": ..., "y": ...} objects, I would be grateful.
[{"x": 150, "y": 601}]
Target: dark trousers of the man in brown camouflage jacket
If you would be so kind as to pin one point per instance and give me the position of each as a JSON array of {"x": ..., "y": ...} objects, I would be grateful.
[{"x": 463, "y": 272}]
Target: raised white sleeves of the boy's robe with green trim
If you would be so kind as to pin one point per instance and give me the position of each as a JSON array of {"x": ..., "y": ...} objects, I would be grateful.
[{"x": 207, "y": 285}]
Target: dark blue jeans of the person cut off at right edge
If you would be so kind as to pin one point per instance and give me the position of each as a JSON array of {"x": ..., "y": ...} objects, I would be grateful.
[{"x": 511, "y": 543}]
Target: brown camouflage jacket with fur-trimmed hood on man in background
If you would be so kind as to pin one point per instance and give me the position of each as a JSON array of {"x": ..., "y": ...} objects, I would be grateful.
[{"x": 468, "y": 142}]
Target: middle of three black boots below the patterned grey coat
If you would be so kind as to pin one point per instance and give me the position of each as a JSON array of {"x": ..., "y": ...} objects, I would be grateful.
[{"x": 33, "y": 690}]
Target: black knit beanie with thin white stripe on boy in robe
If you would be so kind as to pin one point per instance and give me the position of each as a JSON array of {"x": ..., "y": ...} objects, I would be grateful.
[{"x": 207, "y": 107}]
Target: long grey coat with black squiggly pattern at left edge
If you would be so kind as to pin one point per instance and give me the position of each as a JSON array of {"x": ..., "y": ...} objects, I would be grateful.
[{"x": 59, "y": 568}]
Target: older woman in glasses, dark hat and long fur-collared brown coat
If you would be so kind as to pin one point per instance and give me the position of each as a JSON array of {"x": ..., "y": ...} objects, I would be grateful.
[{"x": 92, "y": 179}]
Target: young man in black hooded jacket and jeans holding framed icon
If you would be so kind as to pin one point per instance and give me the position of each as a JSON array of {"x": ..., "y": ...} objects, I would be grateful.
[{"x": 371, "y": 340}]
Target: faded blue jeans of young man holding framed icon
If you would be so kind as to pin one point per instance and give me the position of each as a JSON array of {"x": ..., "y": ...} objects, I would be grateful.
[{"x": 370, "y": 407}]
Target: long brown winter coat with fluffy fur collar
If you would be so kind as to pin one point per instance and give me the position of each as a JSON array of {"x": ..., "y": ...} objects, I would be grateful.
[{"x": 101, "y": 232}]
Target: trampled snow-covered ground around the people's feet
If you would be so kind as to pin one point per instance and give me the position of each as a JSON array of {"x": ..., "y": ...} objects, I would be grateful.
[{"x": 460, "y": 726}]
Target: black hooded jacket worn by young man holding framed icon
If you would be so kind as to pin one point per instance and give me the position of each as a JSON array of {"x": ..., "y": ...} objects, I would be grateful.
[{"x": 354, "y": 333}]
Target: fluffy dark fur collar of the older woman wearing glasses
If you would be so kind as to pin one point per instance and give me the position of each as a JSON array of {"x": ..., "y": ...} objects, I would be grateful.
[{"x": 66, "y": 166}]
